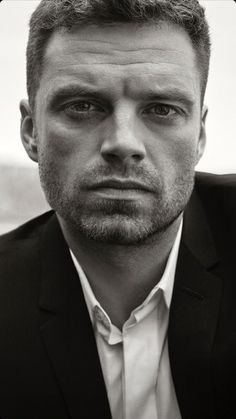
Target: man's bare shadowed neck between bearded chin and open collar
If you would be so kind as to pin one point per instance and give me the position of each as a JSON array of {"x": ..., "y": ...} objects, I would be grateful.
[{"x": 121, "y": 277}]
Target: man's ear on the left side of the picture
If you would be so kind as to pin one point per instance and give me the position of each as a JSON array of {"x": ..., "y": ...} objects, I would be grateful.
[{"x": 28, "y": 132}]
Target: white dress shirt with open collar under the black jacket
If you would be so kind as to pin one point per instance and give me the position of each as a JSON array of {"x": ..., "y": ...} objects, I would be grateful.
[{"x": 135, "y": 361}]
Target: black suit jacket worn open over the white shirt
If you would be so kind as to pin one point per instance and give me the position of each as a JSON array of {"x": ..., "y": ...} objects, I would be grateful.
[{"x": 49, "y": 365}]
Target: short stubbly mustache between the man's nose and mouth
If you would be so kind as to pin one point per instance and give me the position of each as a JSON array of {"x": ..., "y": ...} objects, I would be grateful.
[{"x": 147, "y": 178}]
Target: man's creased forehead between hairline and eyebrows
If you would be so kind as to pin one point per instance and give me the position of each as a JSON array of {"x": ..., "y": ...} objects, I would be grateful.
[{"x": 122, "y": 57}]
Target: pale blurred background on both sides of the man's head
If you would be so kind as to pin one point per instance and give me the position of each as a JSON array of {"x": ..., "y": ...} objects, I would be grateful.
[{"x": 20, "y": 194}]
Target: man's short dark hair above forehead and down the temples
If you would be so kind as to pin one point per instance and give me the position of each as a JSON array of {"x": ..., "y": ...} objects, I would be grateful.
[{"x": 51, "y": 15}]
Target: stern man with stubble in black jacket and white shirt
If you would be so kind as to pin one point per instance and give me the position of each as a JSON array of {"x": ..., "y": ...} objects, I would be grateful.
[{"x": 121, "y": 302}]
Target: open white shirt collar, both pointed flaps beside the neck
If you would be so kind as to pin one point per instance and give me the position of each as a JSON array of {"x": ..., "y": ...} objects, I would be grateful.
[{"x": 165, "y": 284}]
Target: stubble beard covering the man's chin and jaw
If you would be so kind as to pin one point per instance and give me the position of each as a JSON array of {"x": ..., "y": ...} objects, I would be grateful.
[{"x": 118, "y": 222}]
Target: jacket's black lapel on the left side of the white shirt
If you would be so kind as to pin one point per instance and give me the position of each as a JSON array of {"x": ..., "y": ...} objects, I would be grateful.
[{"x": 68, "y": 334}]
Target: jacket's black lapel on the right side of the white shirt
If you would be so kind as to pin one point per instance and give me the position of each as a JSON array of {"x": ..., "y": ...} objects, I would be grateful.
[{"x": 194, "y": 316}]
